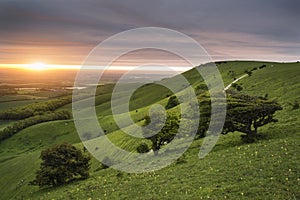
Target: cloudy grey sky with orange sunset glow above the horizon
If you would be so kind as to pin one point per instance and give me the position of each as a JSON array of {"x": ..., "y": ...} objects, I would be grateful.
[{"x": 64, "y": 32}]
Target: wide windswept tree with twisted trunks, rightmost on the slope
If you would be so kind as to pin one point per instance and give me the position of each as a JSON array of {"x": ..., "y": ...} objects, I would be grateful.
[{"x": 247, "y": 113}]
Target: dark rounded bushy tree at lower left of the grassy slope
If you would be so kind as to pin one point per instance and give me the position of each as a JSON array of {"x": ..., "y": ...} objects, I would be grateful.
[{"x": 61, "y": 164}]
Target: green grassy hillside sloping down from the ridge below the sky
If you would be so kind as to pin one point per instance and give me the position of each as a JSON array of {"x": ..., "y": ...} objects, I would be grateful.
[{"x": 267, "y": 169}]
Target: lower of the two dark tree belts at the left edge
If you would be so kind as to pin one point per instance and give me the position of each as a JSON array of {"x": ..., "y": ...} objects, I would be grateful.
[{"x": 22, "y": 124}]
